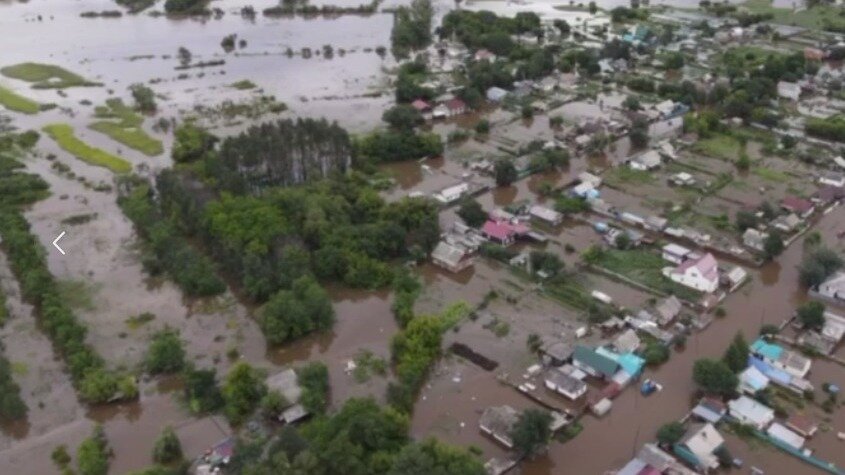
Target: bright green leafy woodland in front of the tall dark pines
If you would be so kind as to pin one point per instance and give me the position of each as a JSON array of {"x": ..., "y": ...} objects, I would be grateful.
[{"x": 337, "y": 230}]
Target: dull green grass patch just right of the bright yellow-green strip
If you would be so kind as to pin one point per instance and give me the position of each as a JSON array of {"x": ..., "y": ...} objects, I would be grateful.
[{"x": 124, "y": 126}]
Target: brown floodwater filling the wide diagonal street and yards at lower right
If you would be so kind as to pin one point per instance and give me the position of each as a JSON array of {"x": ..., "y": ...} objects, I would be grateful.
[{"x": 634, "y": 420}]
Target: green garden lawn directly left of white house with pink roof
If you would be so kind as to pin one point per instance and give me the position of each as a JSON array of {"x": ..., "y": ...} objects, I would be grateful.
[{"x": 646, "y": 268}]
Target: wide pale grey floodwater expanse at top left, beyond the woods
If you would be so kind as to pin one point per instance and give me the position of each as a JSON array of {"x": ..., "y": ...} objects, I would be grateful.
[{"x": 141, "y": 48}]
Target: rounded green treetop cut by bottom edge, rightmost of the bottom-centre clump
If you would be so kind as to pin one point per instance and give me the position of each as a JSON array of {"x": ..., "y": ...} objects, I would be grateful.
[{"x": 433, "y": 457}]
